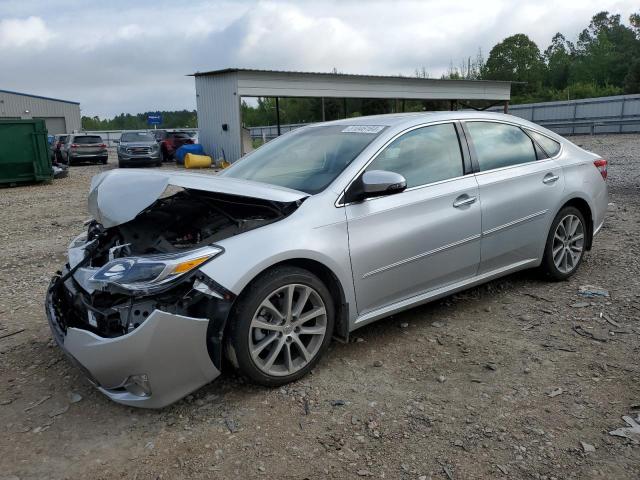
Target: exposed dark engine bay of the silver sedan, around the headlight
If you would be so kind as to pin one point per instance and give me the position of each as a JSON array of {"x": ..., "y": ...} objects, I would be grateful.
[{"x": 180, "y": 223}]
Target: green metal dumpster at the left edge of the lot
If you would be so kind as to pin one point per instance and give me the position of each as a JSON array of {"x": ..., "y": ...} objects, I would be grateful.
[{"x": 24, "y": 152}]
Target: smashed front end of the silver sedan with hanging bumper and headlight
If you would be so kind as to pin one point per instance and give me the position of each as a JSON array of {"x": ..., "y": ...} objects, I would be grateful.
[{"x": 132, "y": 306}]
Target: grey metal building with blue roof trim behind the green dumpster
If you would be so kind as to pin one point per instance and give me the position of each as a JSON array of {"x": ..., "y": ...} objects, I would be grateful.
[{"x": 60, "y": 116}]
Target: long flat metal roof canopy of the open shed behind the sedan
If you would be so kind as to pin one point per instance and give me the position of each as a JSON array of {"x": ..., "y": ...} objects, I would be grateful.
[{"x": 269, "y": 83}]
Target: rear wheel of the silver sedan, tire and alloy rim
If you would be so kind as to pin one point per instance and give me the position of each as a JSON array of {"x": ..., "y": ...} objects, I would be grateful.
[{"x": 563, "y": 253}]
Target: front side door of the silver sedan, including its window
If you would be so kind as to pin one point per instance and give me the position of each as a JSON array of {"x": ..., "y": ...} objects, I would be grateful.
[{"x": 425, "y": 237}]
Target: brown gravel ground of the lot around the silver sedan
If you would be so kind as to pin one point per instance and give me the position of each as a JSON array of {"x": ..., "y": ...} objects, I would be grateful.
[{"x": 494, "y": 382}]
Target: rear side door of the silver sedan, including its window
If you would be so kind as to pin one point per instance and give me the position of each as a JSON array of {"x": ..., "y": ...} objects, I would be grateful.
[{"x": 520, "y": 190}]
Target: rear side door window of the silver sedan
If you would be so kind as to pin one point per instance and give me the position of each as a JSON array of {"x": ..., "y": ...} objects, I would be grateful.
[{"x": 499, "y": 145}]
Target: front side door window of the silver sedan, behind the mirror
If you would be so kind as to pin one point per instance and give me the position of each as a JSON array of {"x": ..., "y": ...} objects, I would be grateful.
[{"x": 424, "y": 155}]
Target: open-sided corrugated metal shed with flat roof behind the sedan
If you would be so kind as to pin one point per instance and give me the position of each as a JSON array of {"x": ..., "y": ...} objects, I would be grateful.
[{"x": 219, "y": 93}]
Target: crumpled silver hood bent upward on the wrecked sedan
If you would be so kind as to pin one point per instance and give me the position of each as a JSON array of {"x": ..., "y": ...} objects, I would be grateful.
[{"x": 118, "y": 196}]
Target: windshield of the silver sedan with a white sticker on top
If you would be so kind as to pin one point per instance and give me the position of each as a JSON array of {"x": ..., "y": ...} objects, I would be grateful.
[{"x": 308, "y": 159}]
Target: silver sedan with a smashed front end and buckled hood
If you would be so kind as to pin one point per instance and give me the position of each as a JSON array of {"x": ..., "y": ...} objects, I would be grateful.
[{"x": 313, "y": 235}]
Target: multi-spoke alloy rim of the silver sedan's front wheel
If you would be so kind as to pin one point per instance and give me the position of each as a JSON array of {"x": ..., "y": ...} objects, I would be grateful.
[{"x": 287, "y": 329}]
